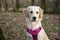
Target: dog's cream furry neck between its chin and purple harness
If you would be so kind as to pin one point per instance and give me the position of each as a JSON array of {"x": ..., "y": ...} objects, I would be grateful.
[{"x": 33, "y": 25}]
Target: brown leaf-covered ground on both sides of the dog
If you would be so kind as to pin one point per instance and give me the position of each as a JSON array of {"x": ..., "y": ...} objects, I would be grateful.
[{"x": 13, "y": 25}]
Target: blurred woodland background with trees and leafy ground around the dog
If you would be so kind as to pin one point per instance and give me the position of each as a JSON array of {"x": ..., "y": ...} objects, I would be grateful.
[{"x": 12, "y": 18}]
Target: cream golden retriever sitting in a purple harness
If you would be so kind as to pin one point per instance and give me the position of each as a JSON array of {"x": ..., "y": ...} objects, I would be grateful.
[{"x": 34, "y": 29}]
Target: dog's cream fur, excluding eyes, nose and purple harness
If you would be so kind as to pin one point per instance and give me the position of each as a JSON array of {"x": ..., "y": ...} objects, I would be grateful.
[{"x": 34, "y": 25}]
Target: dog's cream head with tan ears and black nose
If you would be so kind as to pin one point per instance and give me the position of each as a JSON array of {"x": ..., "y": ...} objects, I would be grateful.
[{"x": 34, "y": 13}]
